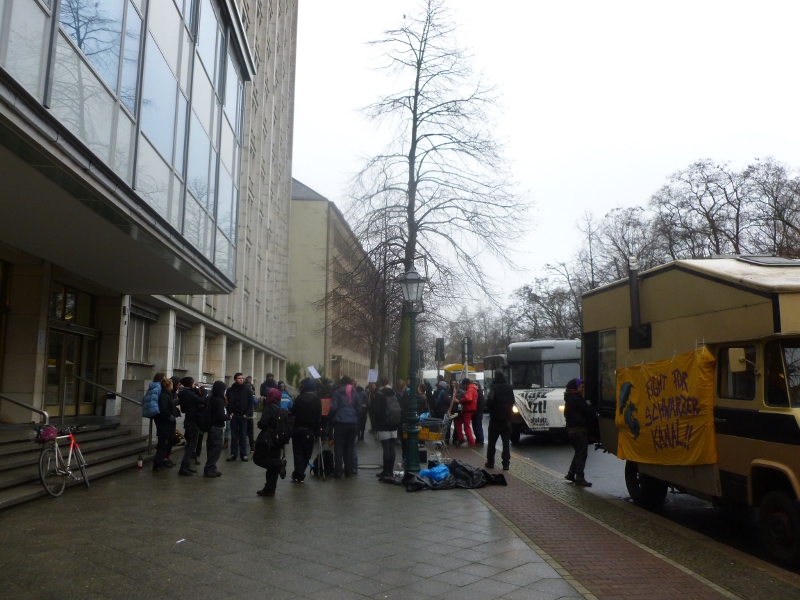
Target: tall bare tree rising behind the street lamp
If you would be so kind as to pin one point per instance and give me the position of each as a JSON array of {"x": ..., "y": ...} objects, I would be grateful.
[{"x": 441, "y": 185}]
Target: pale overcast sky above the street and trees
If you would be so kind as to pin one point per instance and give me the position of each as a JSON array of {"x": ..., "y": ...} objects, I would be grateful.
[{"x": 602, "y": 100}]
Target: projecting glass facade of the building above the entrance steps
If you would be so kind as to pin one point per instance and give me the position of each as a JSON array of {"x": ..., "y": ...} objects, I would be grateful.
[{"x": 154, "y": 89}]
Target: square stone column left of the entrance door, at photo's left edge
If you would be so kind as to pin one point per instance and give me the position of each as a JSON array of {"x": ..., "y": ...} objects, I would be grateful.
[{"x": 26, "y": 341}]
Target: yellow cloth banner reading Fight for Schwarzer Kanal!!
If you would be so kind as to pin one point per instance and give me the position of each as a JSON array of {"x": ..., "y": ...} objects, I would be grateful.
[{"x": 665, "y": 411}]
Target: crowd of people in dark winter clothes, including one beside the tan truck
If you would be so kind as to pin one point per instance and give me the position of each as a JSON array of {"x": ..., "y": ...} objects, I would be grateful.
[{"x": 336, "y": 412}]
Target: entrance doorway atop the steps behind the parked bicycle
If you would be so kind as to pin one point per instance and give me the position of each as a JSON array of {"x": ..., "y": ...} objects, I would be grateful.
[{"x": 70, "y": 354}]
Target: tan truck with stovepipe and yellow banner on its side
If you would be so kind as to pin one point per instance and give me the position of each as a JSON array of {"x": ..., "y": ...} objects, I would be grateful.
[{"x": 725, "y": 426}]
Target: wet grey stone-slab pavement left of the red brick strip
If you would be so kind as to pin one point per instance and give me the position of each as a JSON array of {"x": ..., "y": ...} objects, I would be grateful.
[{"x": 143, "y": 535}]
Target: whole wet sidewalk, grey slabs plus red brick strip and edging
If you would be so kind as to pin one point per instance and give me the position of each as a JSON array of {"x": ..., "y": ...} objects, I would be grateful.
[{"x": 141, "y": 535}]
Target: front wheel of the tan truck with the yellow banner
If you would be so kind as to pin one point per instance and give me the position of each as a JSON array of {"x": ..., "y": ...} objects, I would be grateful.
[{"x": 779, "y": 524}]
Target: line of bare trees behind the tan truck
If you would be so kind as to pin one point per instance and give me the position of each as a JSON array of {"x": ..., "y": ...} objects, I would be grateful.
[{"x": 706, "y": 209}]
